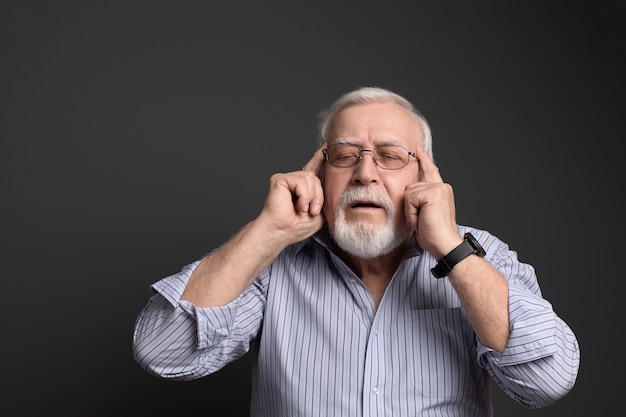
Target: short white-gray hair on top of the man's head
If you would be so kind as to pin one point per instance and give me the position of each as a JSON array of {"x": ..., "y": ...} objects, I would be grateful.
[{"x": 368, "y": 95}]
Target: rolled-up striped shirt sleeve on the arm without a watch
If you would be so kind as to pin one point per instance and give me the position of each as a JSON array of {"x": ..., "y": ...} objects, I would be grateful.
[{"x": 174, "y": 339}]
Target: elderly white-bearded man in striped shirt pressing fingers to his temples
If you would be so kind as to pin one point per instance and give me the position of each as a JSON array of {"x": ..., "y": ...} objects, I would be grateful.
[{"x": 360, "y": 292}]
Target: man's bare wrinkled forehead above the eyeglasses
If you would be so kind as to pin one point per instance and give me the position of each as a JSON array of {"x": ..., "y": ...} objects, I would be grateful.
[{"x": 375, "y": 122}]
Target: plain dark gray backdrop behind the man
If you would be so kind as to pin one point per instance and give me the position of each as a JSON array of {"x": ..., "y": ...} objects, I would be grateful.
[{"x": 136, "y": 136}]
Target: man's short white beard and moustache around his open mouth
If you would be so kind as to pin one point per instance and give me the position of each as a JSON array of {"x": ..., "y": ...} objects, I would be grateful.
[{"x": 360, "y": 238}]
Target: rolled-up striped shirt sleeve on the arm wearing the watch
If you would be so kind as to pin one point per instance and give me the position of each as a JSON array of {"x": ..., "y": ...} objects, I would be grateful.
[{"x": 540, "y": 362}]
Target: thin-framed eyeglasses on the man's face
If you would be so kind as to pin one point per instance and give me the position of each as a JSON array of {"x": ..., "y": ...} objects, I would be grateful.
[{"x": 345, "y": 155}]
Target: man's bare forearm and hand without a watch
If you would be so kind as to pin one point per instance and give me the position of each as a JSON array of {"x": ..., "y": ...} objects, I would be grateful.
[{"x": 291, "y": 213}]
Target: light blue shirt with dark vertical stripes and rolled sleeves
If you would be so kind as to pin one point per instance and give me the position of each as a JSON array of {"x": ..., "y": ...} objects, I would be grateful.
[{"x": 324, "y": 349}]
